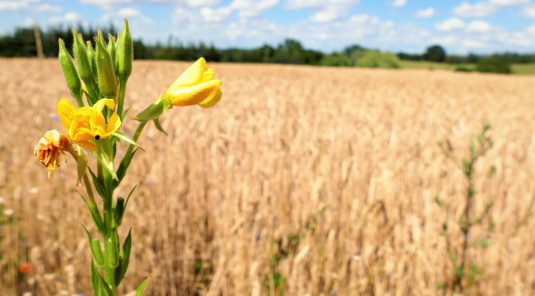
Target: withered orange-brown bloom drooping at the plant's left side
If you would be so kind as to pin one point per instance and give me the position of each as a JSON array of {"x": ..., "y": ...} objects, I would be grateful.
[{"x": 49, "y": 149}]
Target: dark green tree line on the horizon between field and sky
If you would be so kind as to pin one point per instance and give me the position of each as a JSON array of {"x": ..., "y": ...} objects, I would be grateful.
[{"x": 21, "y": 43}]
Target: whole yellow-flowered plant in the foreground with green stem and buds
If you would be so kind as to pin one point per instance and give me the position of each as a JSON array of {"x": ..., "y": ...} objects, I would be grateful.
[{"x": 97, "y": 79}]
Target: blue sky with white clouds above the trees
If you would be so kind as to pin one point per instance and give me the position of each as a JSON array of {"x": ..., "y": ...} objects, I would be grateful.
[{"x": 480, "y": 26}]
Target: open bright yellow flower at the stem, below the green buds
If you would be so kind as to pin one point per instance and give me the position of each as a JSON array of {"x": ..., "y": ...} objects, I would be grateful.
[{"x": 87, "y": 125}]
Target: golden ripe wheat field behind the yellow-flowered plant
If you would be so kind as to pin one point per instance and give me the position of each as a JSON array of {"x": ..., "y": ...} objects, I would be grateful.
[{"x": 332, "y": 171}]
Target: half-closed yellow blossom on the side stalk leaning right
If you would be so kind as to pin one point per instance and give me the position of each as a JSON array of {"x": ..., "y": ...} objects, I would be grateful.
[{"x": 196, "y": 86}]
